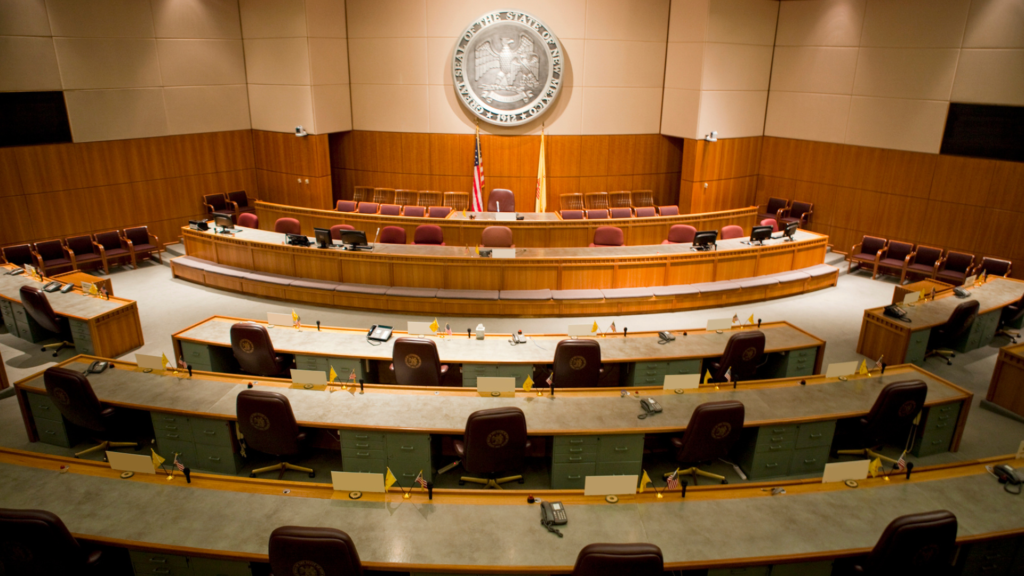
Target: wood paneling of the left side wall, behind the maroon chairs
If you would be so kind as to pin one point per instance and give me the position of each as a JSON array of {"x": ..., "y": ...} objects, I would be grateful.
[{"x": 57, "y": 191}]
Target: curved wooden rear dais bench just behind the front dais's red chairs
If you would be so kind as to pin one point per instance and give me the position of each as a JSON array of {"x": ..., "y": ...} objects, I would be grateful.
[{"x": 535, "y": 231}]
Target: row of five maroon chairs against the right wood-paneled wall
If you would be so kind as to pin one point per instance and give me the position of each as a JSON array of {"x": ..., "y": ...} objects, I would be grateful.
[{"x": 906, "y": 259}]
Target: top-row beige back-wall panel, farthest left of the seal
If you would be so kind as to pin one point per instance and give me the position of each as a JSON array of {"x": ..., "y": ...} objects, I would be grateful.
[{"x": 388, "y": 19}]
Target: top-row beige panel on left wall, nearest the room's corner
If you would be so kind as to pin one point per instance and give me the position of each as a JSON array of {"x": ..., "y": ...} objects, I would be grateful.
[{"x": 197, "y": 19}]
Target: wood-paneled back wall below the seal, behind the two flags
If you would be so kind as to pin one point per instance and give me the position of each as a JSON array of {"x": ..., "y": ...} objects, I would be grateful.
[{"x": 445, "y": 162}]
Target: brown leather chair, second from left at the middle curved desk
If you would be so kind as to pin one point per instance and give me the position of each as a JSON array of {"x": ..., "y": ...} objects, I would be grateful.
[{"x": 268, "y": 425}]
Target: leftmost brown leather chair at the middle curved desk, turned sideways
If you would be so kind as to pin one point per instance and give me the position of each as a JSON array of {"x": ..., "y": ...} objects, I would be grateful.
[{"x": 73, "y": 395}]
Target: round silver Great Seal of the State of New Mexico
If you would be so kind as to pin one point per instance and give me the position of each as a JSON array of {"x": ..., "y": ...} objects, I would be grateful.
[{"x": 507, "y": 68}]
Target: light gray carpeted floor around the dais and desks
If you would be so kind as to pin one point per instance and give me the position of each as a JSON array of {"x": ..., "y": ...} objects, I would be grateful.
[{"x": 167, "y": 305}]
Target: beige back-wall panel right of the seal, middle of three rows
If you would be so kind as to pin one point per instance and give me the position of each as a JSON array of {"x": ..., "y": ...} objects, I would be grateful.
[{"x": 615, "y": 64}]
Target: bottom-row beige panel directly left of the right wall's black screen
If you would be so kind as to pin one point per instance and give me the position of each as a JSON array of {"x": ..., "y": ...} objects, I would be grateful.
[{"x": 897, "y": 124}]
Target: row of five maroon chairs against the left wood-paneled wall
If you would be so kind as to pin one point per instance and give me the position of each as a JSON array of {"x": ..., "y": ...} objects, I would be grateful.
[{"x": 88, "y": 252}]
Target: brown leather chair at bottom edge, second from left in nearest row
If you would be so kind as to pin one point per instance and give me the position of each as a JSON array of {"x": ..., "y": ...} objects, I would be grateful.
[{"x": 317, "y": 551}]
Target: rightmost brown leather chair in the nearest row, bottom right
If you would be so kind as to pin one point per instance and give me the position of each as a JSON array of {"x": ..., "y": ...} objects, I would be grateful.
[{"x": 920, "y": 544}]
